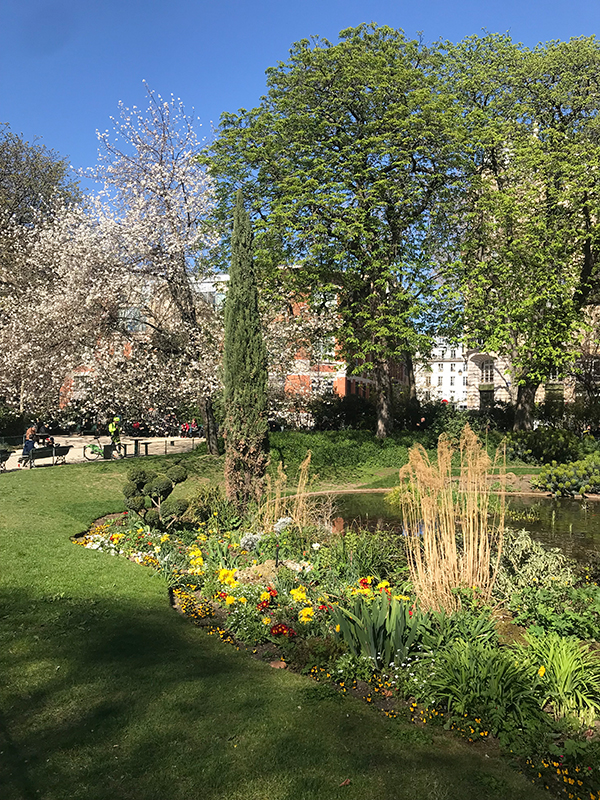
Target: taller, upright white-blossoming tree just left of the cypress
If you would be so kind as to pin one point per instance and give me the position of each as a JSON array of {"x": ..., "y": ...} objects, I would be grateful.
[{"x": 161, "y": 199}]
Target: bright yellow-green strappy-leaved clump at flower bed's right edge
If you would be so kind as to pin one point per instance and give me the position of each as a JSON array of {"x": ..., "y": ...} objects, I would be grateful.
[{"x": 569, "y": 675}]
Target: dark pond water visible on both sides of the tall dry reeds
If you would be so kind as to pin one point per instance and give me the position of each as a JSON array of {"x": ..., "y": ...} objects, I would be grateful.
[{"x": 571, "y": 525}]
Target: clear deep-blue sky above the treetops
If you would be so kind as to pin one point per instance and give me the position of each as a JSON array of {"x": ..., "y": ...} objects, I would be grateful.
[{"x": 65, "y": 64}]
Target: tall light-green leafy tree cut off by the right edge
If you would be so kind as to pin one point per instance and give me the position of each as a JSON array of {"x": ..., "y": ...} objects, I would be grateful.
[{"x": 528, "y": 212}]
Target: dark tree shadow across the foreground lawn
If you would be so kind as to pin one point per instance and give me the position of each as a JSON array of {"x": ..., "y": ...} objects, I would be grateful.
[{"x": 127, "y": 700}]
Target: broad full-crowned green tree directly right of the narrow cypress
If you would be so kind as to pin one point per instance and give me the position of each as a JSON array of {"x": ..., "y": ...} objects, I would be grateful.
[{"x": 344, "y": 162}]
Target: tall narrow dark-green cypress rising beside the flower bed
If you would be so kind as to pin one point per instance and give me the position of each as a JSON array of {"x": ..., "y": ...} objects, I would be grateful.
[{"x": 244, "y": 371}]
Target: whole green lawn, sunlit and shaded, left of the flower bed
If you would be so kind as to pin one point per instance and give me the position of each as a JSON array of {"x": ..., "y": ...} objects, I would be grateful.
[{"x": 106, "y": 692}]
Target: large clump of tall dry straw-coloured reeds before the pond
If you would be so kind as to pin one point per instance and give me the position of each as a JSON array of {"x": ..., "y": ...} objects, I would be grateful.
[{"x": 454, "y": 535}]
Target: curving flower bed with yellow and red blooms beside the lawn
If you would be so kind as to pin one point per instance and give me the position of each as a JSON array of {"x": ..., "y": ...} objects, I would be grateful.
[{"x": 340, "y": 608}]
